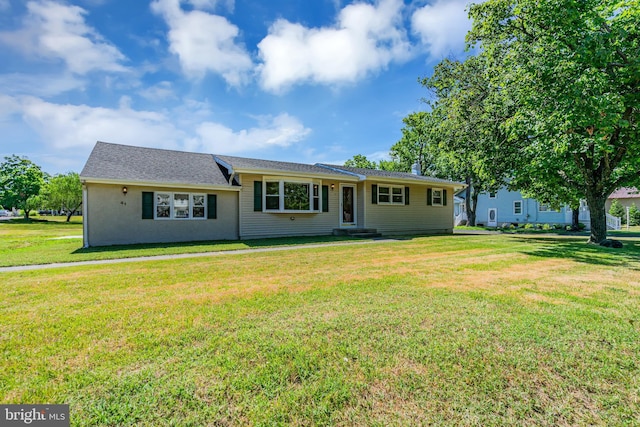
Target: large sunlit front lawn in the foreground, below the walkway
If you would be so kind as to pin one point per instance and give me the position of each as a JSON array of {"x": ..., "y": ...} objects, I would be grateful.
[{"x": 447, "y": 330}]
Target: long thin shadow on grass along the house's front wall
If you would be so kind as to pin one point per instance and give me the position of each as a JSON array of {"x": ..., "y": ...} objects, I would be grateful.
[{"x": 217, "y": 245}]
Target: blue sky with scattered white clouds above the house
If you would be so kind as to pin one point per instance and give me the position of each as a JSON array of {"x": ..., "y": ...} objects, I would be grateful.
[{"x": 295, "y": 80}]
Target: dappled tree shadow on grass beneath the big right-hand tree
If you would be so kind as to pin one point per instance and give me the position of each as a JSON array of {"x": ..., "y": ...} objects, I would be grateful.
[{"x": 579, "y": 250}]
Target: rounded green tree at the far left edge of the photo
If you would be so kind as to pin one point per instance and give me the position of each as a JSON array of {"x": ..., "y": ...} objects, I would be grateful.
[{"x": 20, "y": 183}]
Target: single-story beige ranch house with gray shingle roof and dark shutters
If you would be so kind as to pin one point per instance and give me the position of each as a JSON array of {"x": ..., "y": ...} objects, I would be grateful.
[{"x": 147, "y": 195}]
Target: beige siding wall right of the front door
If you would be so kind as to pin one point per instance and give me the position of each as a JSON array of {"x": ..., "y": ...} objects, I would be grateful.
[{"x": 417, "y": 217}]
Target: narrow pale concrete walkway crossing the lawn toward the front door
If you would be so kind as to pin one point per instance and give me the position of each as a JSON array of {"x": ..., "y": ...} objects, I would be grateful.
[{"x": 190, "y": 255}]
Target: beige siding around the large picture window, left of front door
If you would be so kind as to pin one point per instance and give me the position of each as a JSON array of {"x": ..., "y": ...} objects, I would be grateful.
[{"x": 271, "y": 224}]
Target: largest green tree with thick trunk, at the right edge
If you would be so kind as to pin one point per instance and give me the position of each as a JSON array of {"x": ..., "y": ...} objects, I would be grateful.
[{"x": 573, "y": 68}]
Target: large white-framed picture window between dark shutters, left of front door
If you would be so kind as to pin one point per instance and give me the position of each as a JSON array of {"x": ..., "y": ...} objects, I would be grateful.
[{"x": 291, "y": 196}]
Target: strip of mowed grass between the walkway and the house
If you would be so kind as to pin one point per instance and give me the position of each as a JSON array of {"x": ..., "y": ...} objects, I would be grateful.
[{"x": 52, "y": 240}]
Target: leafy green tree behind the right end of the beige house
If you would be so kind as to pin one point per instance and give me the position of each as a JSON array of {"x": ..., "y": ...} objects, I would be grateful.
[{"x": 461, "y": 137}]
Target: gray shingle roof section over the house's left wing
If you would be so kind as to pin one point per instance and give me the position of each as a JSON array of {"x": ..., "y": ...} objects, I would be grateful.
[{"x": 140, "y": 164}]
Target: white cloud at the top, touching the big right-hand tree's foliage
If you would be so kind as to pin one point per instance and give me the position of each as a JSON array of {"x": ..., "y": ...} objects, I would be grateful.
[{"x": 442, "y": 26}]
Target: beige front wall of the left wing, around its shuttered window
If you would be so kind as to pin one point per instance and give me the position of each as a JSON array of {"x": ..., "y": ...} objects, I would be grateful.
[{"x": 117, "y": 219}]
